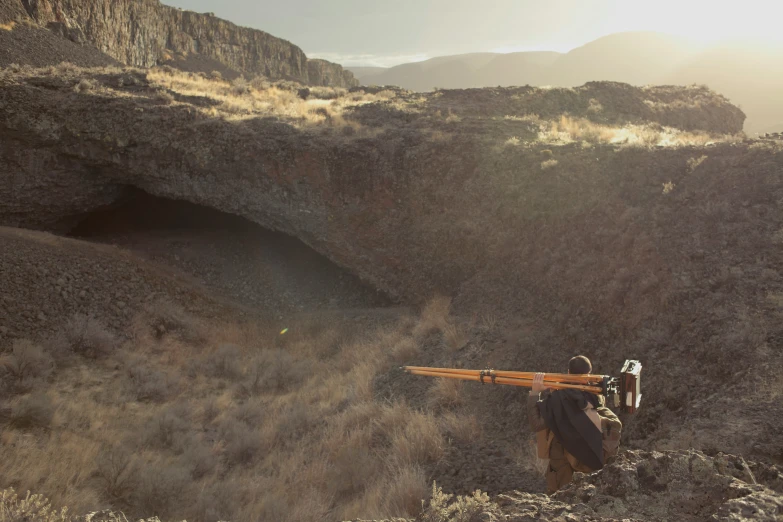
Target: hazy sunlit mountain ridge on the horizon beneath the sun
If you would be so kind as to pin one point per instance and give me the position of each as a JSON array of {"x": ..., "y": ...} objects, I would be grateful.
[{"x": 750, "y": 78}]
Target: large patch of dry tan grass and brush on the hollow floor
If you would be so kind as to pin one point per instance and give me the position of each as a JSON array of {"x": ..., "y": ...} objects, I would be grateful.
[{"x": 235, "y": 418}]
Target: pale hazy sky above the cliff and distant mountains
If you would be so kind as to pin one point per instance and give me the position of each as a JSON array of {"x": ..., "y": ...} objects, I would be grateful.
[{"x": 388, "y": 32}]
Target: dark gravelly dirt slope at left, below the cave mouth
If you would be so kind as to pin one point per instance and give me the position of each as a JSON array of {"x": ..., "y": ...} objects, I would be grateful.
[{"x": 47, "y": 279}]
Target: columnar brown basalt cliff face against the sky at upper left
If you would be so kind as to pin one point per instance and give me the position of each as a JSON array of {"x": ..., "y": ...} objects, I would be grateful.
[{"x": 144, "y": 33}]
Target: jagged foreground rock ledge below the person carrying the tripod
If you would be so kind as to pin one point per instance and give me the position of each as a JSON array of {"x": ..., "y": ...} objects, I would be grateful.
[{"x": 686, "y": 486}]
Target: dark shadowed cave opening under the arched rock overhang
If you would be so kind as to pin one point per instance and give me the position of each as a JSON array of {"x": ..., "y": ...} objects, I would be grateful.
[{"x": 237, "y": 257}]
